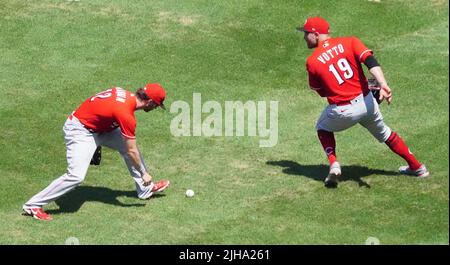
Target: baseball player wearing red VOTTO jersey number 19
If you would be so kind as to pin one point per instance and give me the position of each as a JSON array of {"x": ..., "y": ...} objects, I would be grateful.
[{"x": 335, "y": 72}]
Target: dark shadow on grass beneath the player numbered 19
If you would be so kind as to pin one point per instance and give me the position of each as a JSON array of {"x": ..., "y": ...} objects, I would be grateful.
[{"x": 319, "y": 172}]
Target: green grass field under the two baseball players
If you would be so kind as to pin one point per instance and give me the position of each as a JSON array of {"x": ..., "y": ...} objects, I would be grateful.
[{"x": 55, "y": 54}]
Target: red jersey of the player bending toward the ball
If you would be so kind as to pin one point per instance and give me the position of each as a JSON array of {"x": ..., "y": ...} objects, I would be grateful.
[{"x": 108, "y": 110}]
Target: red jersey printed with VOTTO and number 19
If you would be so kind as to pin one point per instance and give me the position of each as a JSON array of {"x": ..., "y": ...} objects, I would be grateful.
[{"x": 335, "y": 67}]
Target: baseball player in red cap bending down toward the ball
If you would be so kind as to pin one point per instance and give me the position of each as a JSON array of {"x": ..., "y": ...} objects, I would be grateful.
[{"x": 105, "y": 119}]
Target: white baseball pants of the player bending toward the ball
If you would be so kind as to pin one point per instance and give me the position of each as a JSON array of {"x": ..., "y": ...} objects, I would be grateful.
[{"x": 81, "y": 145}]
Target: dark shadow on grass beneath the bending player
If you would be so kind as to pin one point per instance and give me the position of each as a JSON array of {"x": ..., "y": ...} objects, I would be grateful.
[{"x": 72, "y": 201}]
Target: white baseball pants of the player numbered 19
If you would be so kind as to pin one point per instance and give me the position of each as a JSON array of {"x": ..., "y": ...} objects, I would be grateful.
[{"x": 362, "y": 109}]
